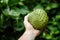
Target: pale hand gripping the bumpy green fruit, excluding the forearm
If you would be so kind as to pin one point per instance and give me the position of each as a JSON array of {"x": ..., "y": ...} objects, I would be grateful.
[{"x": 29, "y": 27}]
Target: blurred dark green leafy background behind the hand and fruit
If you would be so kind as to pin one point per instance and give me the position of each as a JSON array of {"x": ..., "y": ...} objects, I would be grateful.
[{"x": 12, "y": 14}]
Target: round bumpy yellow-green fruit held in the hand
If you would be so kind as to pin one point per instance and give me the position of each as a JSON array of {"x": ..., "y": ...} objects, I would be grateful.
[{"x": 38, "y": 19}]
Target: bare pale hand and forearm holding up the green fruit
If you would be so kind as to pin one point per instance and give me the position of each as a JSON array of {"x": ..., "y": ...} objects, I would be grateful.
[{"x": 30, "y": 33}]
